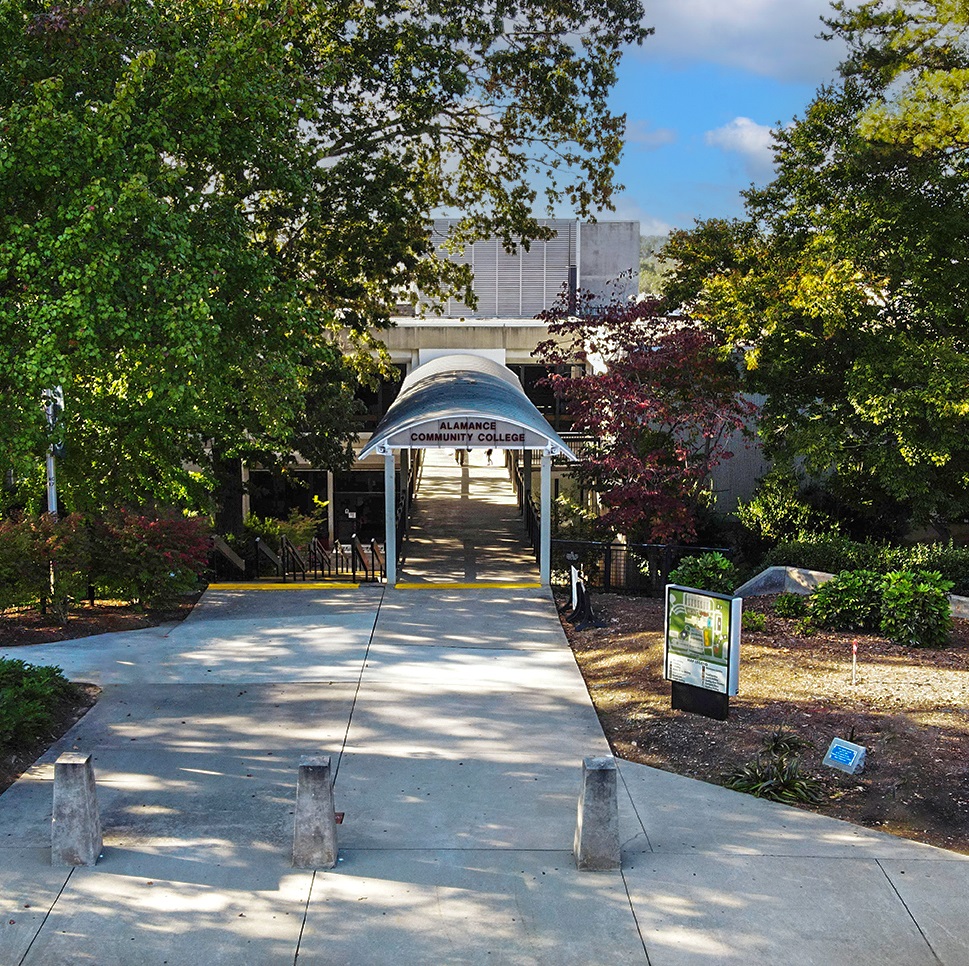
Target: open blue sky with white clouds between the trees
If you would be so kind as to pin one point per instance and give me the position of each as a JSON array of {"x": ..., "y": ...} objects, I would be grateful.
[{"x": 701, "y": 97}]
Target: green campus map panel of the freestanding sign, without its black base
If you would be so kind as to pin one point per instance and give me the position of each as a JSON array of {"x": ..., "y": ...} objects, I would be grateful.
[{"x": 702, "y": 639}]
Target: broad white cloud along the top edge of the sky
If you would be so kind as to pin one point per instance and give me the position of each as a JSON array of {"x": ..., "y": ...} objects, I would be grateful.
[{"x": 774, "y": 38}]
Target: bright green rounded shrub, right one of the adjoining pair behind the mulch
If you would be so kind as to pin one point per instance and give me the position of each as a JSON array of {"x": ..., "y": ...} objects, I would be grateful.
[{"x": 915, "y": 608}]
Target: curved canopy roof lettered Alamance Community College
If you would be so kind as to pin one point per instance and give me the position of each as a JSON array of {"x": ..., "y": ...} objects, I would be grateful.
[{"x": 463, "y": 402}]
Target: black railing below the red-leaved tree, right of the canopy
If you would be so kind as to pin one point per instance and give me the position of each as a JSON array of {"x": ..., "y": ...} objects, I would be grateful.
[{"x": 632, "y": 568}]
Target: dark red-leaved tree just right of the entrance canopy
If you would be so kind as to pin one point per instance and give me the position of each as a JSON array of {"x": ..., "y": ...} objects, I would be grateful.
[{"x": 660, "y": 398}]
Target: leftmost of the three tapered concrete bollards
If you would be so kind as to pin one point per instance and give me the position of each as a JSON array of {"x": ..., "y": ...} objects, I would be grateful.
[{"x": 76, "y": 824}]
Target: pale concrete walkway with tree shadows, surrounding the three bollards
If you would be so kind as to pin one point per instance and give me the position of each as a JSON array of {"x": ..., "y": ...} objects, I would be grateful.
[{"x": 457, "y": 721}]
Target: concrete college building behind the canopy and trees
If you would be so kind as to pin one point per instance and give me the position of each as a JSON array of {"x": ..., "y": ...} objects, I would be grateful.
[{"x": 601, "y": 259}]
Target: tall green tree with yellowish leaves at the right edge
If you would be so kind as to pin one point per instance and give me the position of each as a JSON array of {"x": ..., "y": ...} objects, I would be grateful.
[{"x": 847, "y": 289}]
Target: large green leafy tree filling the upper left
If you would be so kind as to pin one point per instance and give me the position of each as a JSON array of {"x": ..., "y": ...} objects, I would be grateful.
[{"x": 209, "y": 205}]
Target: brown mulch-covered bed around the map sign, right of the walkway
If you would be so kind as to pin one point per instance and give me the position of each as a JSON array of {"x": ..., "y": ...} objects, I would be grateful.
[{"x": 909, "y": 707}]
